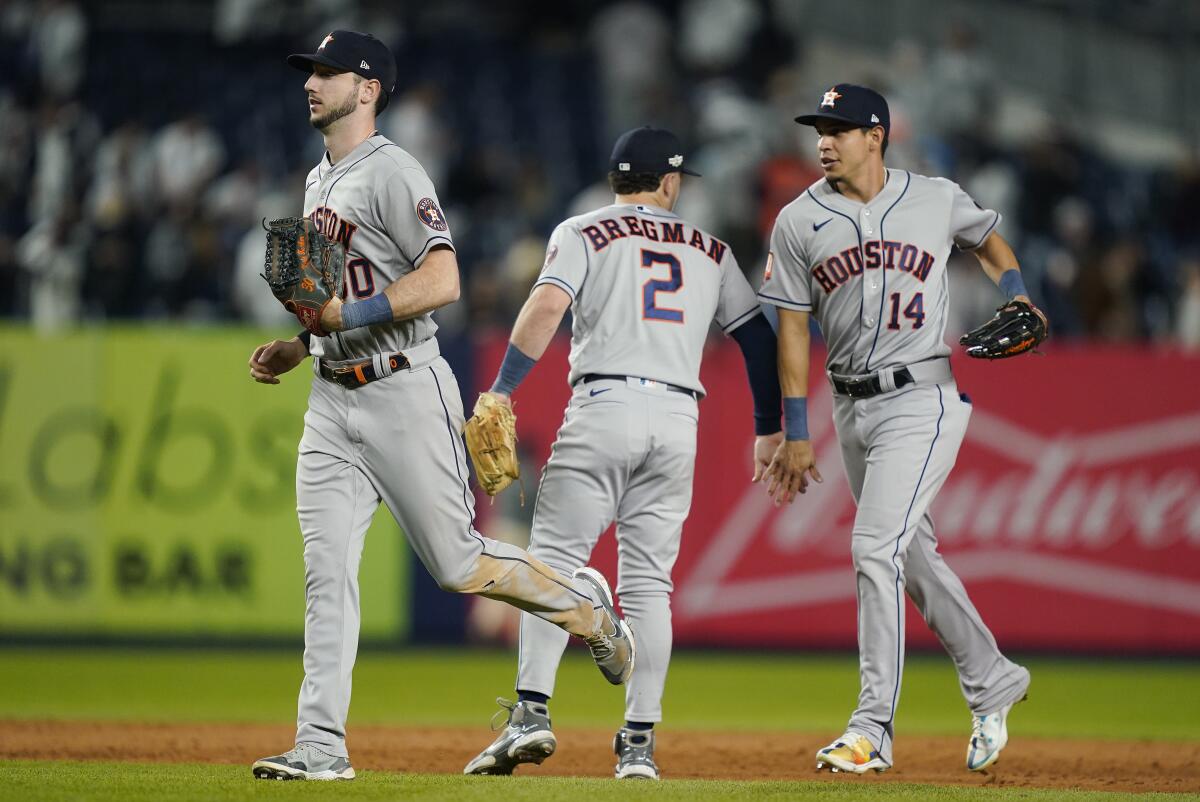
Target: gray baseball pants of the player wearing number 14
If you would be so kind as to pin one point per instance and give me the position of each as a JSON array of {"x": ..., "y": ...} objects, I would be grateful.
[{"x": 898, "y": 450}]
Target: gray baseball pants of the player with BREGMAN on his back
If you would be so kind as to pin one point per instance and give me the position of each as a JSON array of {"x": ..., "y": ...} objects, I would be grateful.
[{"x": 626, "y": 454}]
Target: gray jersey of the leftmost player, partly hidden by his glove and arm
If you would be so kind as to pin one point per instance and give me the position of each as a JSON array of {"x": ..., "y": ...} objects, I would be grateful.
[{"x": 381, "y": 206}]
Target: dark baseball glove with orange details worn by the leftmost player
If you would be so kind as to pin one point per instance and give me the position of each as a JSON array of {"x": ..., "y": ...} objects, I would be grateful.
[{"x": 304, "y": 270}]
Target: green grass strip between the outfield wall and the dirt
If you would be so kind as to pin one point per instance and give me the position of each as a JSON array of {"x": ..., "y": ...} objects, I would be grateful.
[{"x": 1103, "y": 699}]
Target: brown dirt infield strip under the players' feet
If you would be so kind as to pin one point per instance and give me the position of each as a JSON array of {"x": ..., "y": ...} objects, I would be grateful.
[{"x": 1028, "y": 763}]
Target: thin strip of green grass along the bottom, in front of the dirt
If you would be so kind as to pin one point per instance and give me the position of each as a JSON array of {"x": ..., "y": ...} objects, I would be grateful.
[{"x": 68, "y": 782}]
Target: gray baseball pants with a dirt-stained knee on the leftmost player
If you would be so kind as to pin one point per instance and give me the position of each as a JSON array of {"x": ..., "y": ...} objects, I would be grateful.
[{"x": 398, "y": 441}]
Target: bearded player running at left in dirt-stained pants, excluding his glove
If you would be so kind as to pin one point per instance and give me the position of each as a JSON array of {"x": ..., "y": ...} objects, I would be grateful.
[{"x": 385, "y": 414}]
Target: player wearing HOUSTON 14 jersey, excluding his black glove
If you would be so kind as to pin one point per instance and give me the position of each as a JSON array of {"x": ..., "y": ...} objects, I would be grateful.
[{"x": 865, "y": 252}]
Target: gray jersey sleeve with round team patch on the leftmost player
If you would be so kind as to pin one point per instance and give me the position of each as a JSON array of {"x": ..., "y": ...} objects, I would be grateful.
[{"x": 411, "y": 213}]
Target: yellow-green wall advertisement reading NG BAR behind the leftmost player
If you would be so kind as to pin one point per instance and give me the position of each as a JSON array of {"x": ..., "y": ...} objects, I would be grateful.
[{"x": 148, "y": 489}]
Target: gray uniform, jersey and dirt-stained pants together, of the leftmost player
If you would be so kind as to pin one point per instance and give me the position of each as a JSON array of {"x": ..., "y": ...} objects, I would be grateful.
[{"x": 395, "y": 440}]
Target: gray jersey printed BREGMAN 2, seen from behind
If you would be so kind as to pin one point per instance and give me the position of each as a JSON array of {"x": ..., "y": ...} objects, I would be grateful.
[{"x": 658, "y": 284}]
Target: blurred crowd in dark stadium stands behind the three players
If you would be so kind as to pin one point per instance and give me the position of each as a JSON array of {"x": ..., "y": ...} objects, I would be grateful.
[{"x": 143, "y": 142}]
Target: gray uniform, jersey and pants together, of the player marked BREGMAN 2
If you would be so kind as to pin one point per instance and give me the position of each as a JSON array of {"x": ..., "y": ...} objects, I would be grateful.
[{"x": 647, "y": 288}]
